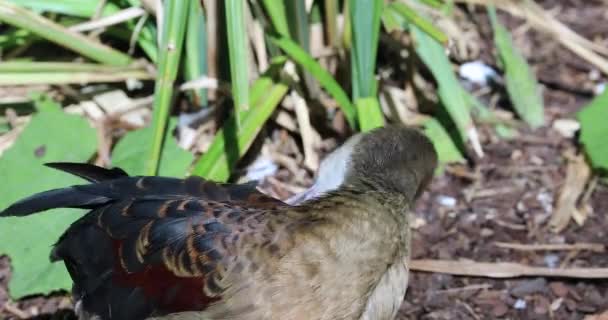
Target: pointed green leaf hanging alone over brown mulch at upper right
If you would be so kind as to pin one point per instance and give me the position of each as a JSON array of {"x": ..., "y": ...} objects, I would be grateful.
[{"x": 521, "y": 83}]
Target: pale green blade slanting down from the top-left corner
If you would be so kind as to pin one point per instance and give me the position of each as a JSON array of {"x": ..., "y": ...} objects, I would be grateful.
[{"x": 45, "y": 28}]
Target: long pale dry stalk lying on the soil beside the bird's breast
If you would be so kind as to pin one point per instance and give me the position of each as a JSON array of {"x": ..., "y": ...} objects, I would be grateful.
[{"x": 503, "y": 269}]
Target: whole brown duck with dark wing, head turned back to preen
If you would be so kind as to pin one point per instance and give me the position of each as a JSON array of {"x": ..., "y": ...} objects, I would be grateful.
[{"x": 190, "y": 248}]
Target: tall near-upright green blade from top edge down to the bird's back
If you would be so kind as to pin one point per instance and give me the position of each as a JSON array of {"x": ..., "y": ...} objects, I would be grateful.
[{"x": 173, "y": 35}]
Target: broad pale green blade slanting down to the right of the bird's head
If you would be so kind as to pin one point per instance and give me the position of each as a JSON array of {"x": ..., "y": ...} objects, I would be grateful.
[{"x": 450, "y": 90}]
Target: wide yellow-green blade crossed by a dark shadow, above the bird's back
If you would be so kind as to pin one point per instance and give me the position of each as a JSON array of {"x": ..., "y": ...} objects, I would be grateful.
[{"x": 231, "y": 143}]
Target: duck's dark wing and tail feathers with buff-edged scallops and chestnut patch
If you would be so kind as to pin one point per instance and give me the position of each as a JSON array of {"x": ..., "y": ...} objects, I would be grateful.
[{"x": 152, "y": 245}]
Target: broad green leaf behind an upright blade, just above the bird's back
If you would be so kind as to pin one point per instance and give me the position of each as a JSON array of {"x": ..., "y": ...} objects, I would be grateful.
[{"x": 175, "y": 161}]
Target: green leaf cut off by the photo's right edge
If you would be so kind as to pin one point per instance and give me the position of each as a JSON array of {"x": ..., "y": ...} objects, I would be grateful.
[{"x": 594, "y": 131}]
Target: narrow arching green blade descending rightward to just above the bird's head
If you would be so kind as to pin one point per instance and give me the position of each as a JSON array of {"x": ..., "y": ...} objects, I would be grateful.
[{"x": 297, "y": 54}]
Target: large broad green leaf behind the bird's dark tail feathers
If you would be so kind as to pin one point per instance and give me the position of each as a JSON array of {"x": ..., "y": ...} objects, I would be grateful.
[{"x": 50, "y": 136}]
